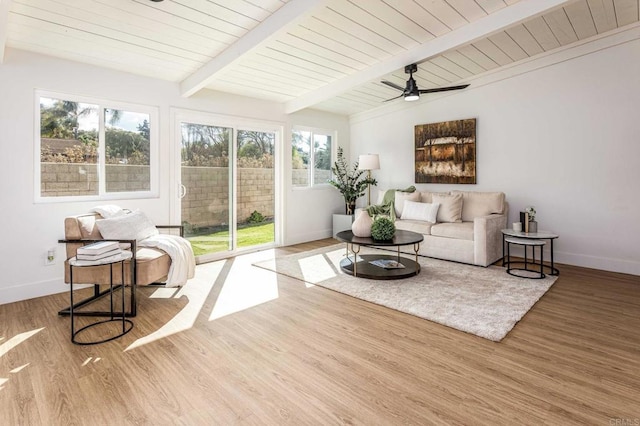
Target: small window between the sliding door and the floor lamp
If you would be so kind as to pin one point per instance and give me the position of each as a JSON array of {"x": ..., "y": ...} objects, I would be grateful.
[{"x": 311, "y": 157}]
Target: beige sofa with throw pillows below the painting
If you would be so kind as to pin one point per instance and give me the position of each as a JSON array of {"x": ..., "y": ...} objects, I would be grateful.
[{"x": 467, "y": 229}]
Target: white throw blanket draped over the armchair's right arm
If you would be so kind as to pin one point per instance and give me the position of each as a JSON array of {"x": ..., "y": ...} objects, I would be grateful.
[{"x": 183, "y": 263}]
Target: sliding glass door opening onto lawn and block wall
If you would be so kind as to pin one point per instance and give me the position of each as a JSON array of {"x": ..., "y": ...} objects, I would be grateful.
[{"x": 228, "y": 186}]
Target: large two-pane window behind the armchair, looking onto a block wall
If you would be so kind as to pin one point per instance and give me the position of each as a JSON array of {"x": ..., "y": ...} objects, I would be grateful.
[{"x": 93, "y": 149}]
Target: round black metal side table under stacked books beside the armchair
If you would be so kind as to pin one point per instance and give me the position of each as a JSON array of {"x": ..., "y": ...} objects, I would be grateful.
[{"x": 127, "y": 325}]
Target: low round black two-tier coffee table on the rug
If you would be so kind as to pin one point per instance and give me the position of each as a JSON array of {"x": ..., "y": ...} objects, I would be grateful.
[{"x": 361, "y": 266}]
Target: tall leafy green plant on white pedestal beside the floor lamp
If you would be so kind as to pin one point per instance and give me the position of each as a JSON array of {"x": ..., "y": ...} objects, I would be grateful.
[{"x": 351, "y": 183}]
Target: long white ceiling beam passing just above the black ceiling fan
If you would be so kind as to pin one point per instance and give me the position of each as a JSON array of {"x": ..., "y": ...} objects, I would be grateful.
[{"x": 484, "y": 27}]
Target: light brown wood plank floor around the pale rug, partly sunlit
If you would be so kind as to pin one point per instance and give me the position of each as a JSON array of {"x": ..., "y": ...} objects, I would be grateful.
[{"x": 307, "y": 355}]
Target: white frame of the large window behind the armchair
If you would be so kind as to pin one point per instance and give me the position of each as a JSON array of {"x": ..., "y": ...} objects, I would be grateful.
[{"x": 102, "y": 104}]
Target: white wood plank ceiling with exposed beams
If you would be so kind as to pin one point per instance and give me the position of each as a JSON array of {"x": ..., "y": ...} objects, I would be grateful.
[{"x": 323, "y": 54}]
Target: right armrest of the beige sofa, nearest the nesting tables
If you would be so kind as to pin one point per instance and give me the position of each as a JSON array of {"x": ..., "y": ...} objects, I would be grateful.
[{"x": 487, "y": 238}]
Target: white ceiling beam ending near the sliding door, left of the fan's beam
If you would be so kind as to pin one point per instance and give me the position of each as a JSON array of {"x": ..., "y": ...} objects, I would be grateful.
[{"x": 277, "y": 23}]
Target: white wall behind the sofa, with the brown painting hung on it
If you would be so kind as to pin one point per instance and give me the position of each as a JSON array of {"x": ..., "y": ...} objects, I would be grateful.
[{"x": 559, "y": 133}]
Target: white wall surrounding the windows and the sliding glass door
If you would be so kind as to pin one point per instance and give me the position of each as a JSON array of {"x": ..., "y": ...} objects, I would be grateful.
[{"x": 29, "y": 229}]
